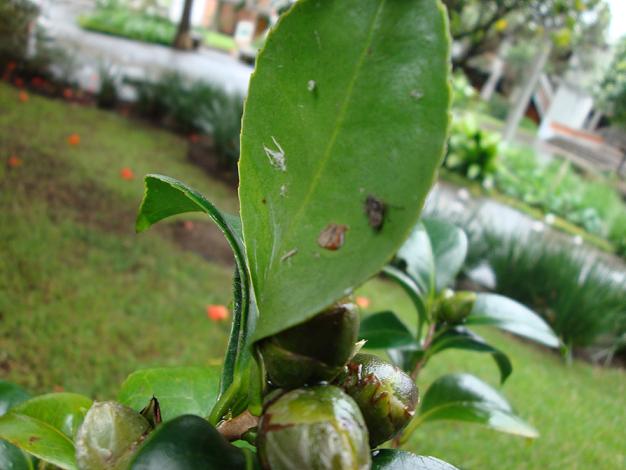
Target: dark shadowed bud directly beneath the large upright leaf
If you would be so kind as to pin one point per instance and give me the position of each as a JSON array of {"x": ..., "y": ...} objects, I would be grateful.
[{"x": 314, "y": 351}]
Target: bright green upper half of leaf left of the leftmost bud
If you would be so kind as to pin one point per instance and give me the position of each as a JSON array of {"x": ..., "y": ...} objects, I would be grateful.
[{"x": 63, "y": 411}]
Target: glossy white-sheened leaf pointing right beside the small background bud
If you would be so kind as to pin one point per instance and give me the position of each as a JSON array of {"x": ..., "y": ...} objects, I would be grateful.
[{"x": 511, "y": 316}]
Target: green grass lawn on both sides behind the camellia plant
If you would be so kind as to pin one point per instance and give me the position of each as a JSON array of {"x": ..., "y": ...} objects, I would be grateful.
[{"x": 84, "y": 301}]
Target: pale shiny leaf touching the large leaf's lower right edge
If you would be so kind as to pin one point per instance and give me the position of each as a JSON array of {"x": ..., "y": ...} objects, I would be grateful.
[{"x": 418, "y": 258}]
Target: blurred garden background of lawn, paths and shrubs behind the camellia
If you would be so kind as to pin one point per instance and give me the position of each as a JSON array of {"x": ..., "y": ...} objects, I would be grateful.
[{"x": 95, "y": 94}]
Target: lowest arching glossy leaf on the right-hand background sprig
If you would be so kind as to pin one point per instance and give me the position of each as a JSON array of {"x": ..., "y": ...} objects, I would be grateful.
[{"x": 463, "y": 397}]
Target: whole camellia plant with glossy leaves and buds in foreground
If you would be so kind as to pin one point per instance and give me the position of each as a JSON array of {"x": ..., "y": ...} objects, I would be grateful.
[{"x": 343, "y": 131}]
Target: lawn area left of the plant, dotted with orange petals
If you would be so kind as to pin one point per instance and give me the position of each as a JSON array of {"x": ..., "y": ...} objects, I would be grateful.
[{"x": 83, "y": 300}]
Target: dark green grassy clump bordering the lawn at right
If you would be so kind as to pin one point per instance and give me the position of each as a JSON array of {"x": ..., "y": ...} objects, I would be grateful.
[{"x": 571, "y": 289}]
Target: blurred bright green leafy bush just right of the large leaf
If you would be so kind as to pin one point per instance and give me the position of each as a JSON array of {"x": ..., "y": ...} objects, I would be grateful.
[{"x": 473, "y": 152}]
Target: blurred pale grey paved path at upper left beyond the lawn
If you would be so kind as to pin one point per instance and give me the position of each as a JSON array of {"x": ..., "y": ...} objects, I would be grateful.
[{"x": 90, "y": 51}]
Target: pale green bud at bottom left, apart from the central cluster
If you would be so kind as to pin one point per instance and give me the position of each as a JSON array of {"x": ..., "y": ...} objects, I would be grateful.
[{"x": 109, "y": 436}]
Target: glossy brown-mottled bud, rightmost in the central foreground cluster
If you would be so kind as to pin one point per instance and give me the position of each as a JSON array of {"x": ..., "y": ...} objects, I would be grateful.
[{"x": 386, "y": 395}]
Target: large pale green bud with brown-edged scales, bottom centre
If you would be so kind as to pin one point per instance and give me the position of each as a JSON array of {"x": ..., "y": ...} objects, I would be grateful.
[{"x": 317, "y": 428}]
